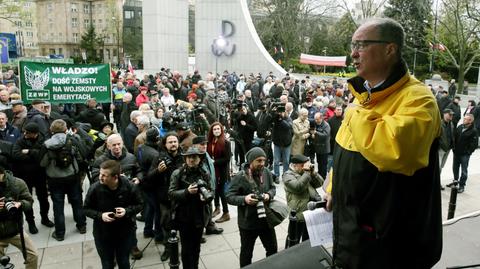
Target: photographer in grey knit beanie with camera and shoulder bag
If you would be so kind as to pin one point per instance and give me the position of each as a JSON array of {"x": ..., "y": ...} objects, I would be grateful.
[{"x": 249, "y": 190}]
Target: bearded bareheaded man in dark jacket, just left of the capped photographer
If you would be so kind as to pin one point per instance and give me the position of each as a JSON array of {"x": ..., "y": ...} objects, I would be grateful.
[{"x": 158, "y": 180}]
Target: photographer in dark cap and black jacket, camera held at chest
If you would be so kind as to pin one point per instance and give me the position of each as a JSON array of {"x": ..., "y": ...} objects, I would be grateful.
[{"x": 190, "y": 191}]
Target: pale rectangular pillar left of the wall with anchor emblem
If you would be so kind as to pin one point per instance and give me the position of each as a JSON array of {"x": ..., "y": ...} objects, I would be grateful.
[{"x": 165, "y": 35}]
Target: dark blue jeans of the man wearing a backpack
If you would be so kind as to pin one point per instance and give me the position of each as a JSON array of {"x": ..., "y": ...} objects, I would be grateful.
[{"x": 72, "y": 189}]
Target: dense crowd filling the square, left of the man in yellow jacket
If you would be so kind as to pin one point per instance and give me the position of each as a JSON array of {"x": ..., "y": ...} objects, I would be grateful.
[{"x": 170, "y": 137}]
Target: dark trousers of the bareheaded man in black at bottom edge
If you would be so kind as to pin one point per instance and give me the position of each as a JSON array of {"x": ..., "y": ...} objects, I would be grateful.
[{"x": 114, "y": 249}]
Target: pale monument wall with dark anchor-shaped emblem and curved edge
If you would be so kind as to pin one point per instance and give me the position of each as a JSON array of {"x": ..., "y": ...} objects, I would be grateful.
[{"x": 250, "y": 54}]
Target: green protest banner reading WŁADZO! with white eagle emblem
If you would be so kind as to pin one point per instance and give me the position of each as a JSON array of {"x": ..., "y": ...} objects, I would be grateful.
[{"x": 64, "y": 83}]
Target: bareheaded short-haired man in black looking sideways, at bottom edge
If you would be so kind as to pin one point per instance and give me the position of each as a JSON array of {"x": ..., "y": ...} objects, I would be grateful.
[{"x": 112, "y": 203}]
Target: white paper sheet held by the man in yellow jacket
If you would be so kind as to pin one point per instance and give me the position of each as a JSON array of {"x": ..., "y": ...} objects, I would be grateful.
[{"x": 320, "y": 226}]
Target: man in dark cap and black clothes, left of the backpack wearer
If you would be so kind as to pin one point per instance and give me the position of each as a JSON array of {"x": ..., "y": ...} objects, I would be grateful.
[{"x": 26, "y": 154}]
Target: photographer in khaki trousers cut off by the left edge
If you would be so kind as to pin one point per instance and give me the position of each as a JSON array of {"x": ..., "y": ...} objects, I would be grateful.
[{"x": 14, "y": 198}]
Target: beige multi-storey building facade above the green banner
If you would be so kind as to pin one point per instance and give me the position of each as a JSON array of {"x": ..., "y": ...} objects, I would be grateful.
[{"x": 61, "y": 24}]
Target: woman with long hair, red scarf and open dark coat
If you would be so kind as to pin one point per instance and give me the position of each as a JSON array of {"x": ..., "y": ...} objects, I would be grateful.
[{"x": 219, "y": 150}]
